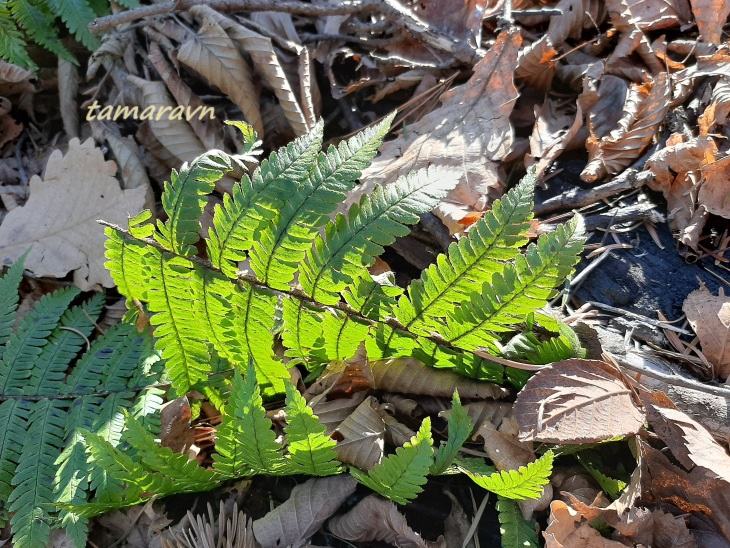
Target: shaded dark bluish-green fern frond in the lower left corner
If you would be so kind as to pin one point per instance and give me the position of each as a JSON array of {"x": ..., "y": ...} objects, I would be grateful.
[{"x": 43, "y": 407}]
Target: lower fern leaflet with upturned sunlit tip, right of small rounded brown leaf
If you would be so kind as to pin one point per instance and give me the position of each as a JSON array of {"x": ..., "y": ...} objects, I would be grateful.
[{"x": 399, "y": 477}]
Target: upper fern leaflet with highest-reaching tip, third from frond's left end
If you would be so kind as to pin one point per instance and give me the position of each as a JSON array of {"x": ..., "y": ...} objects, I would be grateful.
[{"x": 276, "y": 256}]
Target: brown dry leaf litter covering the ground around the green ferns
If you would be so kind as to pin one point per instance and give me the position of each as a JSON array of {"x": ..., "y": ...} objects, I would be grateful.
[{"x": 639, "y": 91}]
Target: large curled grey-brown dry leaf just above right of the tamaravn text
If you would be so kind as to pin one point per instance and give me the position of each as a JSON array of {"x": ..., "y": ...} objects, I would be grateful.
[{"x": 214, "y": 55}]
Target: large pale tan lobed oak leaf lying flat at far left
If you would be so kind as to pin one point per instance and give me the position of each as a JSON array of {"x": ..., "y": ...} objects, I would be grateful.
[{"x": 59, "y": 219}]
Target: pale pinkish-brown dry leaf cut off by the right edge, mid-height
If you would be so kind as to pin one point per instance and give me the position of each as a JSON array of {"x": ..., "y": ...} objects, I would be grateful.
[{"x": 709, "y": 316}]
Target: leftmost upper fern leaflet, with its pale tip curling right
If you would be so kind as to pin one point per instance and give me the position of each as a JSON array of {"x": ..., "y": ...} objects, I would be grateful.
[{"x": 184, "y": 200}]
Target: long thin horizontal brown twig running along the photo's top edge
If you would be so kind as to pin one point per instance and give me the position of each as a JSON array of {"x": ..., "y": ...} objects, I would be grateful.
[{"x": 343, "y": 7}]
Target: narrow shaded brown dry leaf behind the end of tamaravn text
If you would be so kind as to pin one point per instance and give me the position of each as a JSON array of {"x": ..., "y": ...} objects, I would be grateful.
[{"x": 208, "y": 130}]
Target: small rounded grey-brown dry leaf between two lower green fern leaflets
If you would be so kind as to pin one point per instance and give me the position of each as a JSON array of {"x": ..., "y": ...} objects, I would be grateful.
[{"x": 361, "y": 436}]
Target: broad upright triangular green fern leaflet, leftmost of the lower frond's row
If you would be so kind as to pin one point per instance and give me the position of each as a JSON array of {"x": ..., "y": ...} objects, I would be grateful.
[{"x": 246, "y": 443}]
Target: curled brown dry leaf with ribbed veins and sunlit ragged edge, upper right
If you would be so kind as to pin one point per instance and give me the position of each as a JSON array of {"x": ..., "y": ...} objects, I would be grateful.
[{"x": 616, "y": 151}]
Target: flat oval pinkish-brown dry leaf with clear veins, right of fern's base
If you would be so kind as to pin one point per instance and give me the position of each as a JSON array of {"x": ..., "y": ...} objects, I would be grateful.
[{"x": 576, "y": 401}]
